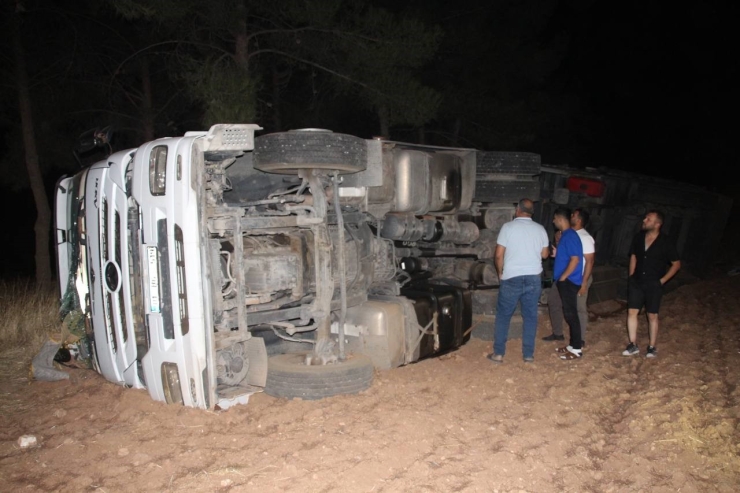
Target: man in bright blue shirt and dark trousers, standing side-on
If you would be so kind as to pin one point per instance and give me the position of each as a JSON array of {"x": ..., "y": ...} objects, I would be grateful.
[{"x": 568, "y": 276}]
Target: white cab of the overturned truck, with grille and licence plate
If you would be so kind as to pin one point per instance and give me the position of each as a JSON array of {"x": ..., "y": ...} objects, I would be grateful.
[{"x": 129, "y": 244}]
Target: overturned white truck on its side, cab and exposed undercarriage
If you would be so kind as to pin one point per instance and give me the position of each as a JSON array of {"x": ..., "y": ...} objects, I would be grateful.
[{"x": 206, "y": 267}]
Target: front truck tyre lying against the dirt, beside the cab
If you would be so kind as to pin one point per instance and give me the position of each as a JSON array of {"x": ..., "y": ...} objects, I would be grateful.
[{"x": 288, "y": 377}]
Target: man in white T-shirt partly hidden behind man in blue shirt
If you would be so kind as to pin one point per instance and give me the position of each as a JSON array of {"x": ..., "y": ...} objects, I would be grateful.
[{"x": 578, "y": 220}]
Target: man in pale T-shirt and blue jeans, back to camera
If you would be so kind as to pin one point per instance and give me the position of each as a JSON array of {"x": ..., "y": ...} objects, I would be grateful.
[{"x": 520, "y": 248}]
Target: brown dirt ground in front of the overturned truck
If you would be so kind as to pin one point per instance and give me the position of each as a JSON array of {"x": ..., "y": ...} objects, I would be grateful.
[{"x": 456, "y": 423}]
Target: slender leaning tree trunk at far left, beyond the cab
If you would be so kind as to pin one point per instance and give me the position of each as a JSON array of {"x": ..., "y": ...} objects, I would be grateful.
[{"x": 42, "y": 226}]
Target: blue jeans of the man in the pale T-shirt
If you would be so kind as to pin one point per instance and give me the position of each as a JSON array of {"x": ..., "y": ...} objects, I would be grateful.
[{"x": 524, "y": 289}]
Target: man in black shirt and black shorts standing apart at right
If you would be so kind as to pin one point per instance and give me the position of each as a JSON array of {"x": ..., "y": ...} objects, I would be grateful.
[{"x": 651, "y": 252}]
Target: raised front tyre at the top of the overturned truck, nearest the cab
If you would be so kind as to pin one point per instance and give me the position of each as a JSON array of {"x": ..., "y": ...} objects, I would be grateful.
[{"x": 288, "y": 152}]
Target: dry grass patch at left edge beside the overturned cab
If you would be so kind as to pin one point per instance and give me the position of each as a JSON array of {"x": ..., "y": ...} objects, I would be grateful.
[{"x": 29, "y": 315}]
